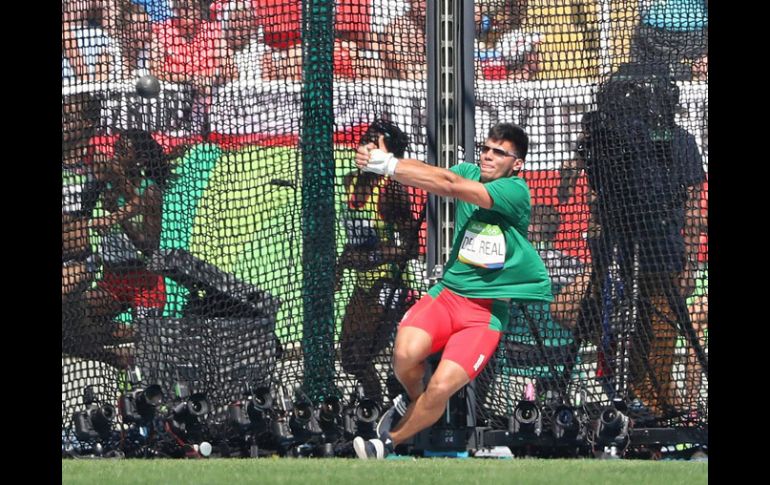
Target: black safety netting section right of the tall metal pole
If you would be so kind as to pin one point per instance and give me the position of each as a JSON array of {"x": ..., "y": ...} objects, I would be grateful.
[{"x": 614, "y": 97}]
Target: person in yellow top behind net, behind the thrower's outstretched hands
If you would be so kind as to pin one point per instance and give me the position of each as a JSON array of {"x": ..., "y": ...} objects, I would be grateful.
[{"x": 382, "y": 239}]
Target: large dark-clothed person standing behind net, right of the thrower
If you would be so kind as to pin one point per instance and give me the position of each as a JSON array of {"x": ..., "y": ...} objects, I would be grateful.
[{"x": 647, "y": 173}]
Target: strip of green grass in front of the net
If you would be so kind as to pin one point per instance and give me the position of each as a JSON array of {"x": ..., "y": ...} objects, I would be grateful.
[{"x": 343, "y": 471}]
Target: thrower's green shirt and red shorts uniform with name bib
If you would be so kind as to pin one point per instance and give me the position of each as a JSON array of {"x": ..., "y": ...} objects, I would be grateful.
[{"x": 491, "y": 262}]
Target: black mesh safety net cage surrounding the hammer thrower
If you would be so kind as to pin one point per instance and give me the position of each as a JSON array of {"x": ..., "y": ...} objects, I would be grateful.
[{"x": 229, "y": 275}]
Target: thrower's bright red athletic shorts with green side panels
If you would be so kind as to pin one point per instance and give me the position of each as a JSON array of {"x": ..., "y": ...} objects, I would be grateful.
[{"x": 468, "y": 329}]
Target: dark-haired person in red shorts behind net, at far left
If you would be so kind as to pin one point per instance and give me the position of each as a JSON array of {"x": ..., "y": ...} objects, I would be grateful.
[{"x": 130, "y": 230}]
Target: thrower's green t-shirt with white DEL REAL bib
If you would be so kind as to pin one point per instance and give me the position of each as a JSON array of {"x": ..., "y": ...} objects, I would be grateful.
[{"x": 491, "y": 256}]
